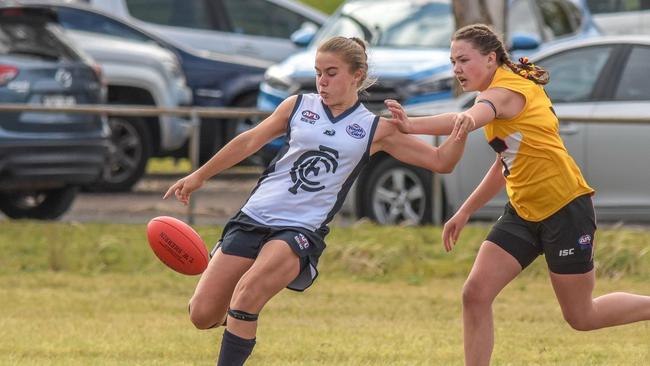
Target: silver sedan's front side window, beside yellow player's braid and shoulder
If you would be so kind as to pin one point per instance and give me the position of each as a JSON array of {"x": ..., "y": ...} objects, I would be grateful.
[{"x": 574, "y": 73}]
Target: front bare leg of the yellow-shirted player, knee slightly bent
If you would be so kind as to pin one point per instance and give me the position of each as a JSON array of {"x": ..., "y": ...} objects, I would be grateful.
[{"x": 493, "y": 269}]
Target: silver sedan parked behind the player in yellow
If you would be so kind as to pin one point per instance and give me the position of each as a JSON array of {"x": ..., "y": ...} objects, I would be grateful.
[{"x": 614, "y": 83}]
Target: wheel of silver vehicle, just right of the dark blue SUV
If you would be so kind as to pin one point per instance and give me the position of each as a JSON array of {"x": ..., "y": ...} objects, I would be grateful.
[{"x": 129, "y": 151}]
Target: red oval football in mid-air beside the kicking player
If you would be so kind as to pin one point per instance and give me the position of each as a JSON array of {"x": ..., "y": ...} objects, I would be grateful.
[{"x": 177, "y": 245}]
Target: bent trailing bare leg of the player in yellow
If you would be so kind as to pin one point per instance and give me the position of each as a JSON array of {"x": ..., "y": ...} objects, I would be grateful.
[{"x": 574, "y": 293}]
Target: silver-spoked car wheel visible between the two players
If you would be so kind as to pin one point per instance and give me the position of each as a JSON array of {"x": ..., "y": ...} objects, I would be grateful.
[{"x": 398, "y": 194}]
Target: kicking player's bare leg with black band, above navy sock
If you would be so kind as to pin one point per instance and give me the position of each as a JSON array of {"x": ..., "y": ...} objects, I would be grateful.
[{"x": 275, "y": 267}]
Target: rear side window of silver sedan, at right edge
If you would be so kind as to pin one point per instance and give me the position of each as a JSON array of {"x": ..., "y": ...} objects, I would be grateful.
[{"x": 635, "y": 81}]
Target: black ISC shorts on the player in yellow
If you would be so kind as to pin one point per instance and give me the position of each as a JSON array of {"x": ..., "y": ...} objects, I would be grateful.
[{"x": 565, "y": 238}]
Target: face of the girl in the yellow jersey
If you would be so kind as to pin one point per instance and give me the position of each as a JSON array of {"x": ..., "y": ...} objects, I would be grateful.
[{"x": 473, "y": 70}]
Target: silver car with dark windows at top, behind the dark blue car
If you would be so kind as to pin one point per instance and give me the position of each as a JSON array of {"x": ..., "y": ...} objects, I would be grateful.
[{"x": 255, "y": 28}]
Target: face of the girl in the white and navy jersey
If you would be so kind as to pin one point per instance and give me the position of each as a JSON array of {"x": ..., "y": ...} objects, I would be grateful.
[{"x": 334, "y": 81}]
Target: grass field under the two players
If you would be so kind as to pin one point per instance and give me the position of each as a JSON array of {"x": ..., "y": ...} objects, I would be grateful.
[{"x": 90, "y": 294}]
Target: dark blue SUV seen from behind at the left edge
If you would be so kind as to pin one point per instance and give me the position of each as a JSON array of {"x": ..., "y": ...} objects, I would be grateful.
[{"x": 45, "y": 157}]
